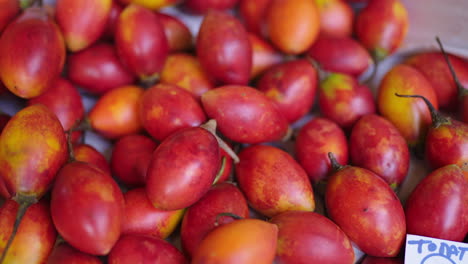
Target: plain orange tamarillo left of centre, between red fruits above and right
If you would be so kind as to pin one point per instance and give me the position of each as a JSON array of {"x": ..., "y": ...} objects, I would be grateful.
[{"x": 116, "y": 114}]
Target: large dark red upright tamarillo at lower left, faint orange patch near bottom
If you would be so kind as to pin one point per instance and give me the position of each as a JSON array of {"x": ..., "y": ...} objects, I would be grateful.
[{"x": 87, "y": 208}]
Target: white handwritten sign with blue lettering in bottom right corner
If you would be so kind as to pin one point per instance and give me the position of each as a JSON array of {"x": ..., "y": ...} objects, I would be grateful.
[{"x": 428, "y": 250}]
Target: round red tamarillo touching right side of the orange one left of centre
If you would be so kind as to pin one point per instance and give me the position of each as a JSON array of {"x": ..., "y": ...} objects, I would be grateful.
[{"x": 167, "y": 108}]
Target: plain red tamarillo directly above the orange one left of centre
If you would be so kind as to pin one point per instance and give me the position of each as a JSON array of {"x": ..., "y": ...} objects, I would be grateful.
[{"x": 97, "y": 69}]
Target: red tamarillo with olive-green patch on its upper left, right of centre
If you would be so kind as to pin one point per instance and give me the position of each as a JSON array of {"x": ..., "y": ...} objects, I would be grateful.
[{"x": 343, "y": 100}]
